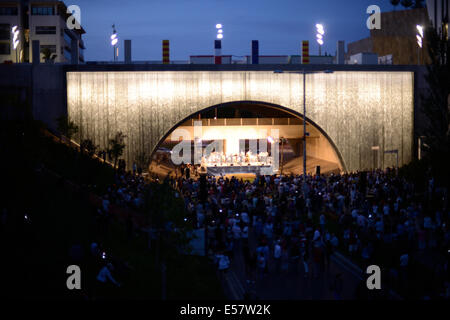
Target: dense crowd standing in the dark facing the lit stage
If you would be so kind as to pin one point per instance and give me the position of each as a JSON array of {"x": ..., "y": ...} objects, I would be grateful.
[{"x": 374, "y": 217}]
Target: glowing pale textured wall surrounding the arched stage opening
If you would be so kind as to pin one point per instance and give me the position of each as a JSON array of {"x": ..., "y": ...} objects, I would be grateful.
[{"x": 357, "y": 110}]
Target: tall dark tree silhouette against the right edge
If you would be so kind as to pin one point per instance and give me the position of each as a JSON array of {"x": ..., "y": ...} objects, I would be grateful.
[{"x": 436, "y": 103}]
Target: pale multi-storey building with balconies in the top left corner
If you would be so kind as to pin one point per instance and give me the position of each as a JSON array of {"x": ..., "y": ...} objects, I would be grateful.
[{"x": 44, "y": 20}]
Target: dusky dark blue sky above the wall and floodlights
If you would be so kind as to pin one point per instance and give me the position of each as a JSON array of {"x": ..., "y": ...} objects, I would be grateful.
[{"x": 279, "y": 25}]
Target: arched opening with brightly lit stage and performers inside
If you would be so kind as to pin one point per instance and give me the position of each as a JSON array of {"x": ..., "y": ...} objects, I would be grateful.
[{"x": 244, "y": 139}]
